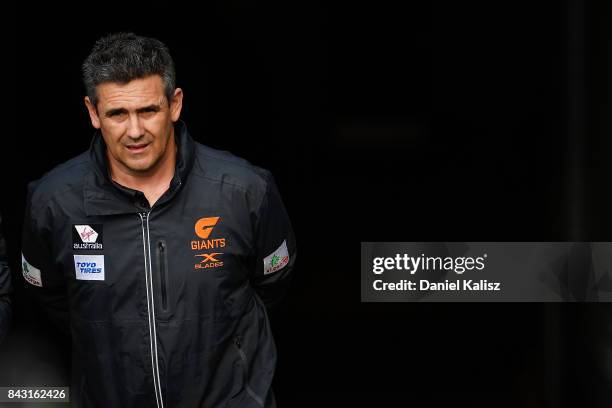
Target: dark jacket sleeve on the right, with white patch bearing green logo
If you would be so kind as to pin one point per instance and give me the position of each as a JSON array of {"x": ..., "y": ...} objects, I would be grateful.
[{"x": 275, "y": 247}]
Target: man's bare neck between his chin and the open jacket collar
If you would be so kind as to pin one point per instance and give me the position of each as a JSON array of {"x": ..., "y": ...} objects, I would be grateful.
[{"x": 152, "y": 182}]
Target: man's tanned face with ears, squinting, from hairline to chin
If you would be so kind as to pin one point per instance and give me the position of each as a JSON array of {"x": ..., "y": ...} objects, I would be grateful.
[{"x": 136, "y": 122}]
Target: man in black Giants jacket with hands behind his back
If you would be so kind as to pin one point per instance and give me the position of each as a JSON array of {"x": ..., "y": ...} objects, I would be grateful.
[{"x": 165, "y": 251}]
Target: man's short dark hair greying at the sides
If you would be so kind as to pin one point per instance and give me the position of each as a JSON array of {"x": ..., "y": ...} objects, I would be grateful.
[{"x": 123, "y": 57}]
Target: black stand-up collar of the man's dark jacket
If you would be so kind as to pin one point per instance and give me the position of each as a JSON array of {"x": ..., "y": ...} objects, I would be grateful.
[{"x": 103, "y": 196}]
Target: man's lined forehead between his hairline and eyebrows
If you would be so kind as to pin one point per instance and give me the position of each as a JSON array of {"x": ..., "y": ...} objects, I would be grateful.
[{"x": 141, "y": 91}]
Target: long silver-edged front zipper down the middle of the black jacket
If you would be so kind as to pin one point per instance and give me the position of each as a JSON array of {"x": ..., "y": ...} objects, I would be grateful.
[{"x": 146, "y": 240}]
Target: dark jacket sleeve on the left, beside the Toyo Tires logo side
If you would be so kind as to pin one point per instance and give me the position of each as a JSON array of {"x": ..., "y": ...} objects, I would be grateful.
[{"x": 44, "y": 279}]
